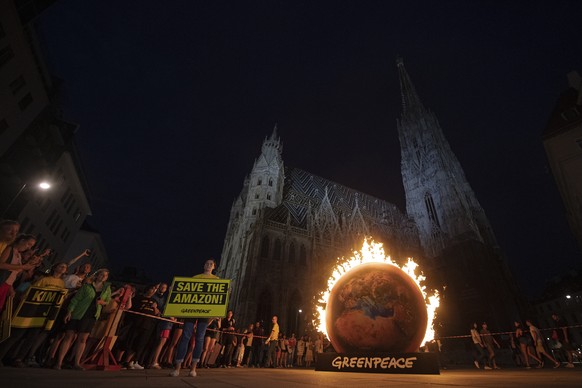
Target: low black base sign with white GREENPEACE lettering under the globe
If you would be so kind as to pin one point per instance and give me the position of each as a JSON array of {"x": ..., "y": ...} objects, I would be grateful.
[{"x": 406, "y": 363}]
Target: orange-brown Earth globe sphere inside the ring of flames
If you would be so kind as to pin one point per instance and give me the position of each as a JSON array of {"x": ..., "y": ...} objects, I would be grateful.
[{"x": 376, "y": 307}]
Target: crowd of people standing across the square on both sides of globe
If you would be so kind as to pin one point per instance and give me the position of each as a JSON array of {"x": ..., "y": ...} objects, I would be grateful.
[{"x": 94, "y": 310}]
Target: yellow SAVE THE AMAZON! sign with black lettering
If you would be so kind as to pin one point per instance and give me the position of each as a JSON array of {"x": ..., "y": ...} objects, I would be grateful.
[{"x": 197, "y": 298}]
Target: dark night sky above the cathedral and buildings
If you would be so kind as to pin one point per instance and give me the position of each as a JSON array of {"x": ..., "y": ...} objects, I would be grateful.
[{"x": 175, "y": 98}]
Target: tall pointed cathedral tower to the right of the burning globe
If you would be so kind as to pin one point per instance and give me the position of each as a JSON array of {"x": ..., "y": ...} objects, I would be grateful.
[{"x": 458, "y": 242}]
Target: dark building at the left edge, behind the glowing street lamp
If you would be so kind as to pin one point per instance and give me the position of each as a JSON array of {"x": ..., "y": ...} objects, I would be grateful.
[{"x": 36, "y": 143}]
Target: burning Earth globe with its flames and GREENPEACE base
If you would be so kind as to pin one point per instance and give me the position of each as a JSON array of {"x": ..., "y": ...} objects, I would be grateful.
[{"x": 372, "y": 306}]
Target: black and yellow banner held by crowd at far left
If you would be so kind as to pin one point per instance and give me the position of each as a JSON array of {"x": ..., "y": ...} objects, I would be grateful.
[{"x": 39, "y": 308}]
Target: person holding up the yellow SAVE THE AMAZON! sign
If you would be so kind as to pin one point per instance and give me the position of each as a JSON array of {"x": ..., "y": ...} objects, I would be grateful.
[{"x": 188, "y": 329}]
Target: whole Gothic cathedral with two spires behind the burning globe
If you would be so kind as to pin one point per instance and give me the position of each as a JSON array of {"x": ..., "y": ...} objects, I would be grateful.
[{"x": 288, "y": 226}]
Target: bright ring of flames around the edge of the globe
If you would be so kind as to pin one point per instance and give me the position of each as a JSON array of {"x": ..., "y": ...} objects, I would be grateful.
[{"x": 374, "y": 253}]
